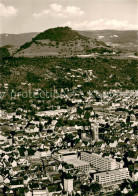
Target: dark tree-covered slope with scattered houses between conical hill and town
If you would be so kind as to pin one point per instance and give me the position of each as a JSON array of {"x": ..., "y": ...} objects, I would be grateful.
[{"x": 78, "y": 75}]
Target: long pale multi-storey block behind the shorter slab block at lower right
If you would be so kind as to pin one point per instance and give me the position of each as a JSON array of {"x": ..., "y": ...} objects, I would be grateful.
[{"x": 100, "y": 163}]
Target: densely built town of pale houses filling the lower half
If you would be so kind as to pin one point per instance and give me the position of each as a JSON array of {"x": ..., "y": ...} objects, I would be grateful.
[{"x": 85, "y": 147}]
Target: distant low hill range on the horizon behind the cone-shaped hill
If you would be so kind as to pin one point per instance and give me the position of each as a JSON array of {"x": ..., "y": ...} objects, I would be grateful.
[{"x": 107, "y": 36}]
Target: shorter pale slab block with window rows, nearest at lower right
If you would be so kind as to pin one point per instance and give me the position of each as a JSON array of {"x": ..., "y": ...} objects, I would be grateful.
[{"x": 112, "y": 177}]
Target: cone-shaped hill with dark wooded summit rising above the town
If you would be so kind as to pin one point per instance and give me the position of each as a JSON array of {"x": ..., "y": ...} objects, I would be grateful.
[{"x": 60, "y": 41}]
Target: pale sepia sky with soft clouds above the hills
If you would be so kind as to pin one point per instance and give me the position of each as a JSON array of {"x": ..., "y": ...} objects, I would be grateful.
[{"x": 23, "y": 16}]
